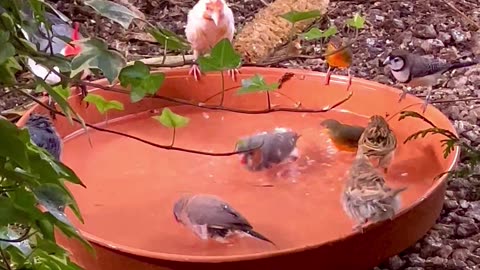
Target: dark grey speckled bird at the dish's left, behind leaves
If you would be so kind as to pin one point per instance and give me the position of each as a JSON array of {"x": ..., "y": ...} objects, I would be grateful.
[{"x": 44, "y": 135}]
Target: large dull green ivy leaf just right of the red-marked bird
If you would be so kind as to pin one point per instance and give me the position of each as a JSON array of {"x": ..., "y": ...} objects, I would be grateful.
[{"x": 95, "y": 54}]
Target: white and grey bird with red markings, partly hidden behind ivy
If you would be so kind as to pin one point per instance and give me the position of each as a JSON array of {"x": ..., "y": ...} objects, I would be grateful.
[{"x": 61, "y": 30}]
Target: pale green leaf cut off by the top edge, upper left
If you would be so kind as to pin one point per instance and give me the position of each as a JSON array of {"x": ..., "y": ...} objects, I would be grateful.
[{"x": 115, "y": 12}]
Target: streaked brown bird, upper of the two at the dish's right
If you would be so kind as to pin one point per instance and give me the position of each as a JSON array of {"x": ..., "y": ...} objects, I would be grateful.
[{"x": 378, "y": 141}]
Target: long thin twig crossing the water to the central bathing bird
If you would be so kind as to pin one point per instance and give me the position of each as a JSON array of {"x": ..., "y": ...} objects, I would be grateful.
[{"x": 166, "y": 147}]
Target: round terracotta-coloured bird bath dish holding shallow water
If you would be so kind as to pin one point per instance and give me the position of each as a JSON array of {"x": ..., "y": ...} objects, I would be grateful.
[{"x": 131, "y": 186}]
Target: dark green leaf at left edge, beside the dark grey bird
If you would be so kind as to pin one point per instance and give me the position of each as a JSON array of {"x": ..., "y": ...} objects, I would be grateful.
[{"x": 11, "y": 145}]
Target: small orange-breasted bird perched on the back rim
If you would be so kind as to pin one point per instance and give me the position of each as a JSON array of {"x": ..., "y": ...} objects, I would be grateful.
[{"x": 341, "y": 59}]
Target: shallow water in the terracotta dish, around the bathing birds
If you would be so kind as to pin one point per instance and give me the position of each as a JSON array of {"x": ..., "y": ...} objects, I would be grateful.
[{"x": 131, "y": 186}]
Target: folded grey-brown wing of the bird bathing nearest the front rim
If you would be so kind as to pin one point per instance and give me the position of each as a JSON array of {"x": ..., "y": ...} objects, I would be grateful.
[{"x": 215, "y": 213}]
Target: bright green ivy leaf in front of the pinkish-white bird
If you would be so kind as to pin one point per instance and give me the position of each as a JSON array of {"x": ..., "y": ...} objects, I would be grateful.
[{"x": 222, "y": 57}]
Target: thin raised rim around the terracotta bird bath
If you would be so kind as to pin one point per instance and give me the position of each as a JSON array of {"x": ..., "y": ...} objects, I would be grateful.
[{"x": 183, "y": 72}]
